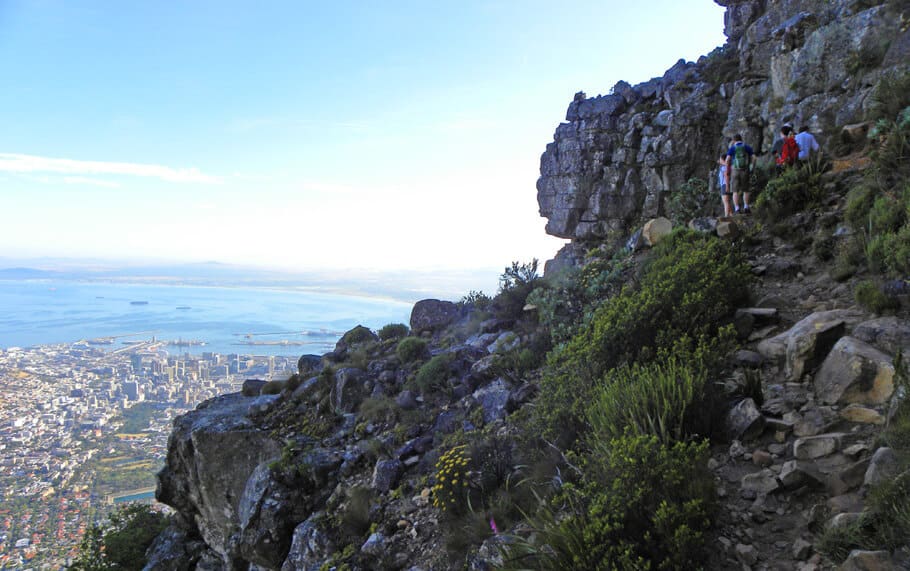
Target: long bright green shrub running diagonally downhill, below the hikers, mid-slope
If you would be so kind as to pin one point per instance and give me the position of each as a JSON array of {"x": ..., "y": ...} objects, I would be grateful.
[{"x": 689, "y": 287}]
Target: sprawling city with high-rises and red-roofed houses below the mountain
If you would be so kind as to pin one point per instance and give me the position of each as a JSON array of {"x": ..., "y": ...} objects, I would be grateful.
[{"x": 83, "y": 428}]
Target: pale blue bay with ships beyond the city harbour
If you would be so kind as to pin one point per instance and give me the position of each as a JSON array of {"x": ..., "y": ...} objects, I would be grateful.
[{"x": 245, "y": 320}]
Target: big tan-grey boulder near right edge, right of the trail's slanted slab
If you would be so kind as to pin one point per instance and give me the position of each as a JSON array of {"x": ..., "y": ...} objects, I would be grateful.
[{"x": 855, "y": 372}]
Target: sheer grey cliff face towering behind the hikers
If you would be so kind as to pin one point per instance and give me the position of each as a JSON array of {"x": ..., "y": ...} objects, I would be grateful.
[{"x": 812, "y": 62}]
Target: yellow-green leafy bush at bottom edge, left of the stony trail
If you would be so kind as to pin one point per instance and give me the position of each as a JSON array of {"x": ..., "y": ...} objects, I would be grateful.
[{"x": 643, "y": 505}]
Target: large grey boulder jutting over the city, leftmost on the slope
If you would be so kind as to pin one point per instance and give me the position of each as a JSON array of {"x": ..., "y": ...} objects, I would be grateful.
[{"x": 212, "y": 451}]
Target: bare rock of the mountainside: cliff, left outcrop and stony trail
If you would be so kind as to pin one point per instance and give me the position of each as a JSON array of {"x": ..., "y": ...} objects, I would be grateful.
[{"x": 335, "y": 468}]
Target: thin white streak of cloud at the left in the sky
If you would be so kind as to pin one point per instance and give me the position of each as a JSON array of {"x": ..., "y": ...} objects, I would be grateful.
[{"x": 17, "y": 163}]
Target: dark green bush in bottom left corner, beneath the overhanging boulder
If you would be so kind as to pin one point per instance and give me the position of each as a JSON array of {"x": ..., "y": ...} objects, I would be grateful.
[{"x": 122, "y": 541}]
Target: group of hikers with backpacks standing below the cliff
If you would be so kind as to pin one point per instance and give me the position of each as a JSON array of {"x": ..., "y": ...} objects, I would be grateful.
[{"x": 736, "y": 164}]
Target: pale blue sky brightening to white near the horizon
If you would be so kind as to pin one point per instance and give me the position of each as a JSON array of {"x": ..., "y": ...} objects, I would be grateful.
[{"x": 302, "y": 134}]
